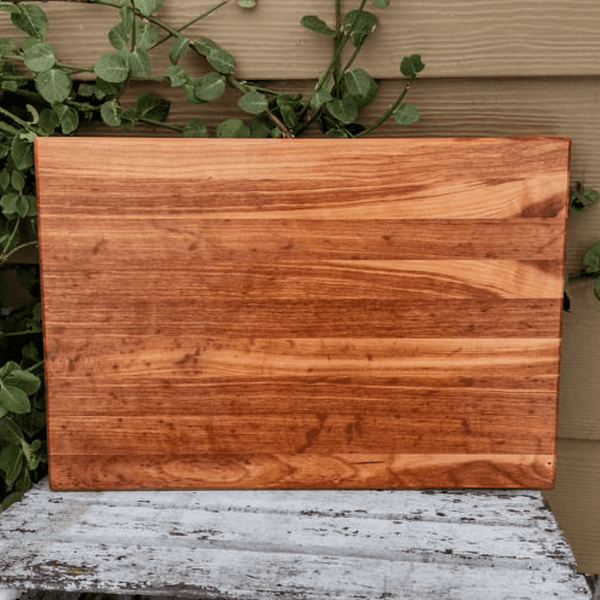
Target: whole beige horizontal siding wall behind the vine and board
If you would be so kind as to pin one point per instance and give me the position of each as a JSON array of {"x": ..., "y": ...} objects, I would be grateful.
[{"x": 518, "y": 67}]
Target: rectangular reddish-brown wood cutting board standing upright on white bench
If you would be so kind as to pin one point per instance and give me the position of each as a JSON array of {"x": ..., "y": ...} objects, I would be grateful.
[{"x": 380, "y": 313}]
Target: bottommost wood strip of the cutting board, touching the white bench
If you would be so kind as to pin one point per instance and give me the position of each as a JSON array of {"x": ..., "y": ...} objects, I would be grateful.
[{"x": 303, "y": 471}]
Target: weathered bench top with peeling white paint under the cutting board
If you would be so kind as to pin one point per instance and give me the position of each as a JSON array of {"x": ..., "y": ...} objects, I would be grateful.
[{"x": 310, "y": 544}]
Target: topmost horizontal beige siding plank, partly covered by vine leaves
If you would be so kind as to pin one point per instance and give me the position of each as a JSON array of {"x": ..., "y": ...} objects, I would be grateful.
[{"x": 457, "y": 38}]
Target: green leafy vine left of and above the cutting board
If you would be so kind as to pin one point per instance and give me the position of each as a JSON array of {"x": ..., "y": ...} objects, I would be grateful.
[{"x": 42, "y": 95}]
